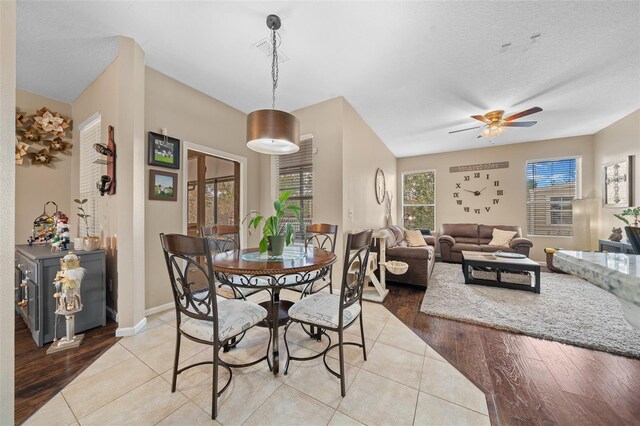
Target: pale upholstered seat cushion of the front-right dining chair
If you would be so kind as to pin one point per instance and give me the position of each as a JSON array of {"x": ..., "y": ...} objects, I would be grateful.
[{"x": 322, "y": 309}]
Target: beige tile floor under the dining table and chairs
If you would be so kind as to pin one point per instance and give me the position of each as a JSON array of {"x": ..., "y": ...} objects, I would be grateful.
[{"x": 403, "y": 382}]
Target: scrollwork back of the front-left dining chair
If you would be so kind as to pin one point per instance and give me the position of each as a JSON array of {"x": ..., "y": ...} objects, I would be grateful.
[{"x": 192, "y": 282}]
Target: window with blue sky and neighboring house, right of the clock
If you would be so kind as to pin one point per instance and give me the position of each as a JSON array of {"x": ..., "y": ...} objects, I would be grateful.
[{"x": 552, "y": 185}]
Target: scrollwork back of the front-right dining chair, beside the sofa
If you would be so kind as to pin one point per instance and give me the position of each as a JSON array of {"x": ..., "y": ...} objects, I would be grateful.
[{"x": 356, "y": 257}]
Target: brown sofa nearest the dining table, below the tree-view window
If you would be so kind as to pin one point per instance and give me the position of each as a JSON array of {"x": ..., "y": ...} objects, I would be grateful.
[{"x": 419, "y": 259}]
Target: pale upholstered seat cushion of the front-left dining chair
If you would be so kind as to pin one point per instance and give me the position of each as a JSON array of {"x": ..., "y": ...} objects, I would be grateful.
[{"x": 234, "y": 317}]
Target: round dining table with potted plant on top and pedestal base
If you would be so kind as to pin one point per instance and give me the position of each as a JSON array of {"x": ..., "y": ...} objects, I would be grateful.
[{"x": 248, "y": 268}]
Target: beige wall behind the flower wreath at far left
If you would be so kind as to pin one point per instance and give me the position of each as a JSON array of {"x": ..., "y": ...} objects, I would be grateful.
[{"x": 35, "y": 185}]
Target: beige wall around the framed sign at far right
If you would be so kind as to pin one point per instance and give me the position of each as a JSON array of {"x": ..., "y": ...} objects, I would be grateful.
[{"x": 614, "y": 143}]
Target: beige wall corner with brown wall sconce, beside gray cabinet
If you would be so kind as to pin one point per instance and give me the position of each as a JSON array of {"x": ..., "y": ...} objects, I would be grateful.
[{"x": 118, "y": 95}]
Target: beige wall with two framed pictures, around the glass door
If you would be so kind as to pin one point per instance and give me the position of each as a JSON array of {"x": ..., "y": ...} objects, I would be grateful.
[{"x": 190, "y": 116}]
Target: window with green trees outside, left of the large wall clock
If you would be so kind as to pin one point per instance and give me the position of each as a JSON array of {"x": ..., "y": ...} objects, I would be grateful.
[{"x": 419, "y": 200}]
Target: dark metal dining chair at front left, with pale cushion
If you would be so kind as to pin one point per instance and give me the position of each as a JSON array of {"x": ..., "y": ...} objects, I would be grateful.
[{"x": 200, "y": 315}]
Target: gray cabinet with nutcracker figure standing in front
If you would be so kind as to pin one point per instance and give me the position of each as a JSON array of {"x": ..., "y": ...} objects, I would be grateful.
[{"x": 35, "y": 271}]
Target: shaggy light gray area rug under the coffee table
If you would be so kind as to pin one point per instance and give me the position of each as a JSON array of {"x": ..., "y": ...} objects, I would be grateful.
[{"x": 568, "y": 310}]
